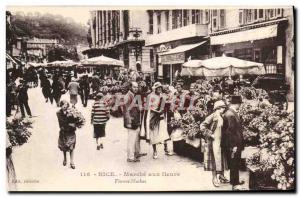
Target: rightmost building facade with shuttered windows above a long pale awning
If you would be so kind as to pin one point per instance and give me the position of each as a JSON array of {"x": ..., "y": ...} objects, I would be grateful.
[{"x": 260, "y": 35}]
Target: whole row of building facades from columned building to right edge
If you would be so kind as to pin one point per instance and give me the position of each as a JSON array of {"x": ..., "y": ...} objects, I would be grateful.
[{"x": 162, "y": 40}]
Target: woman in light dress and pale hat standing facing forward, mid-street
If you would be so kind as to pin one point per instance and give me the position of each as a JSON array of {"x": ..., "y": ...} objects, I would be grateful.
[{"x": 156, "y": 121}]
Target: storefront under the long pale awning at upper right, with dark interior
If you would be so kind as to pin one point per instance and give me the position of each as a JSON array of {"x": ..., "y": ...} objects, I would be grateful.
[{"x": 264, "y": 43}]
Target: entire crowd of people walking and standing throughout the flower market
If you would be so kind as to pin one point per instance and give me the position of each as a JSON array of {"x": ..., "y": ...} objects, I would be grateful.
[{"x": 146, "y": 113}]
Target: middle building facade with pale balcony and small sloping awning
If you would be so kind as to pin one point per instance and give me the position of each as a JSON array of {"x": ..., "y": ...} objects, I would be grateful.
[{"x": 176, "y": 36}]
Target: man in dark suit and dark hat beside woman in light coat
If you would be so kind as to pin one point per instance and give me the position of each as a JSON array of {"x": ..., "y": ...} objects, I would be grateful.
[{"x": 232, "y": 140}]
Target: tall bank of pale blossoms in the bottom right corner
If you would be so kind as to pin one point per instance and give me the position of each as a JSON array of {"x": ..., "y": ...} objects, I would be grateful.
[{"x": 276, "y": 147}]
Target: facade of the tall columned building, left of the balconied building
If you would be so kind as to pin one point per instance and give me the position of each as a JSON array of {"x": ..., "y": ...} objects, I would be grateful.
[{"x": 120, "y": 34}]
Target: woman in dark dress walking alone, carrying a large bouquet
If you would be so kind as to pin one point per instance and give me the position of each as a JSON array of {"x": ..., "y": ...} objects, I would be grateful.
[{"x": 67, "y": 136}]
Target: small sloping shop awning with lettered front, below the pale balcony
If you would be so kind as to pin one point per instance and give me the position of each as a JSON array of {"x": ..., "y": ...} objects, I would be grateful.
[{"x": 177, "y": 55}]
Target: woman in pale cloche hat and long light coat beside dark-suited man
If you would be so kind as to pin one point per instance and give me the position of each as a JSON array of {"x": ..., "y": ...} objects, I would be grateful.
[{"x": 213, "y": 157}]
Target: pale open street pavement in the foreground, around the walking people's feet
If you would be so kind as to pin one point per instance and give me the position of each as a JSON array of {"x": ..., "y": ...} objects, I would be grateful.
[{"x": 39, "y": 166}]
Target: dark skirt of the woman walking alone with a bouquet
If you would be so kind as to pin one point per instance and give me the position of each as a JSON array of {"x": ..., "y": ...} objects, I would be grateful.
[{"x": 66, "y": 141}]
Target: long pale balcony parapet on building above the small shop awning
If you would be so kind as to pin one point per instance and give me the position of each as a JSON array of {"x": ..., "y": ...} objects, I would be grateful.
[{"x": 194, "y": 30}]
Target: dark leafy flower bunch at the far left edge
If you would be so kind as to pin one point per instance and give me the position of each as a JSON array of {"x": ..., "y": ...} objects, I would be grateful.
[{"x": 18, "y": 130}]
